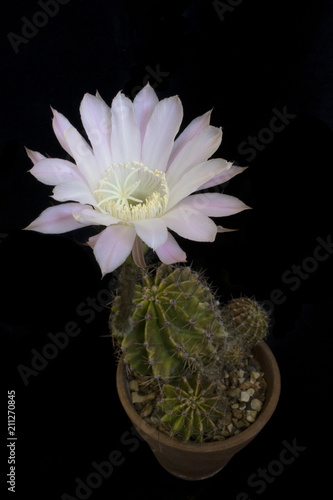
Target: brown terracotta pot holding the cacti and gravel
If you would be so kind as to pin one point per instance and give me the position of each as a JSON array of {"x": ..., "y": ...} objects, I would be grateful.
[{"x": 194, "y": 461}]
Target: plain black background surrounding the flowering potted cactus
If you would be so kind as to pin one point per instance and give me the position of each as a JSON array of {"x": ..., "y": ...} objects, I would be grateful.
[{"x": 246, "y": 60}]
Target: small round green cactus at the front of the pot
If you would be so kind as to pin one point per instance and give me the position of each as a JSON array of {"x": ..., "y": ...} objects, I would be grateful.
[{"x": 190, "y": 408}]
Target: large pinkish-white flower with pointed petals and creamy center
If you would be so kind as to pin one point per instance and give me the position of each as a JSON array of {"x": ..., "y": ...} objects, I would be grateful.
[{"x": 134, "y": 178}]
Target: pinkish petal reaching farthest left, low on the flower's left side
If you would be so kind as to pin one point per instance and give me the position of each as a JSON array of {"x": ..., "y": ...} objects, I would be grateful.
[{"x": 58, "y": 219}]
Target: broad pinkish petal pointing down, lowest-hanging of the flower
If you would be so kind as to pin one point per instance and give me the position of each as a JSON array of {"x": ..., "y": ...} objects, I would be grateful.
[{"x": 113, "y": 246}]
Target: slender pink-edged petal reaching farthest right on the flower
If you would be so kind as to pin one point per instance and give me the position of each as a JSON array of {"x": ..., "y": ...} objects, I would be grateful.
[{"x": 213, "y": 204}]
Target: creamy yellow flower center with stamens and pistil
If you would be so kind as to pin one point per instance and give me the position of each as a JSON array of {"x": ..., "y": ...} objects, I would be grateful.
[{"x": 132, "y": 192}]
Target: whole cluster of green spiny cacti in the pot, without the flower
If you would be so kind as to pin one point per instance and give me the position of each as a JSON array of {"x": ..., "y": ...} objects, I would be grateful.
[{"x": 181, "y": 337}]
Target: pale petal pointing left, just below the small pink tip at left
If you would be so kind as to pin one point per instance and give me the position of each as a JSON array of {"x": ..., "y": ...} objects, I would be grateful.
[{"x": 53, "y": 171}]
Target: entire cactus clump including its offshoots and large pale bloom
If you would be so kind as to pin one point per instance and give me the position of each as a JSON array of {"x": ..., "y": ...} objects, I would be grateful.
[{"x": 137, "y": 180}]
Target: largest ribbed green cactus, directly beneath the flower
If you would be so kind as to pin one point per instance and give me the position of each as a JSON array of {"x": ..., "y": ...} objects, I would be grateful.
[{"x": 176, "y": 324}]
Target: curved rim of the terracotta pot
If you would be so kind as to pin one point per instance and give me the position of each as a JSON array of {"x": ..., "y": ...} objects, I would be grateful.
[{"x": 261, "y": 350}]
